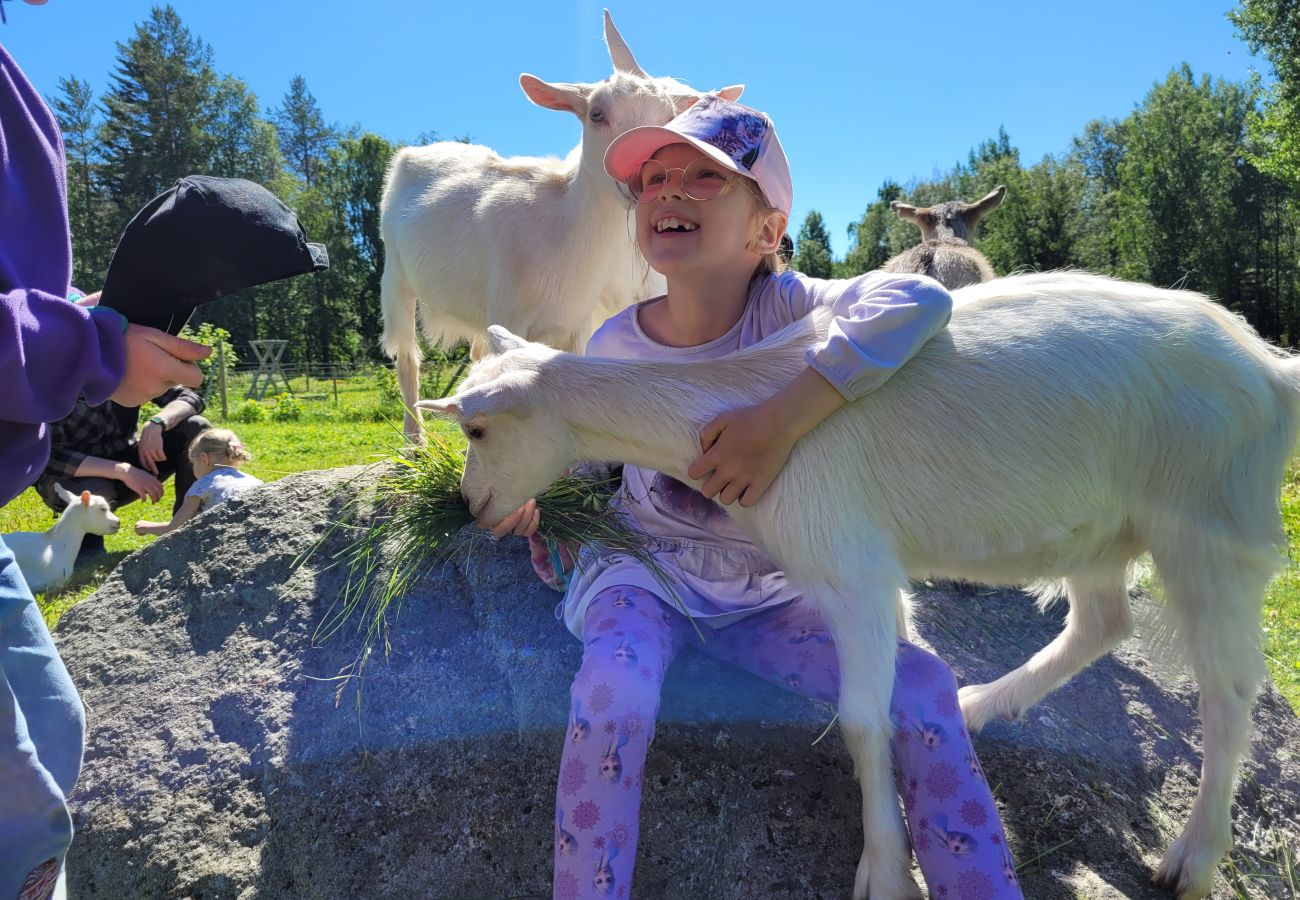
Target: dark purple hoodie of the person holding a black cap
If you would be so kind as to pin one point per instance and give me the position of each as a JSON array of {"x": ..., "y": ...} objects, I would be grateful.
[{"x": 51, "y": 352}]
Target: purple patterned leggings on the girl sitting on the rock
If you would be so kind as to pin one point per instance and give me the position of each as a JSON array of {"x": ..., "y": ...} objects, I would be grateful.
[{"x": 631, "y": 638}]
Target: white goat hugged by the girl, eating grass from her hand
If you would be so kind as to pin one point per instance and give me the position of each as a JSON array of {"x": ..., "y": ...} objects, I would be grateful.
[{"x": 1060, "y": 427}]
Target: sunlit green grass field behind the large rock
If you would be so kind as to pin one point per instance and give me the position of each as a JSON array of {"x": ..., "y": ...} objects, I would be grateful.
[{"x": 363, "y": 423}]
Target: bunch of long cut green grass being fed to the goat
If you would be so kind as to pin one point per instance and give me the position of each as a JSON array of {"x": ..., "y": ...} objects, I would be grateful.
[{"x": 414, "y": 521}]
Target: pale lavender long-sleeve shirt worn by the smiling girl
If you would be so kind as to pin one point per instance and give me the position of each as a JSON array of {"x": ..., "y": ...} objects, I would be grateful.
[{"x": 881, "y": 322}]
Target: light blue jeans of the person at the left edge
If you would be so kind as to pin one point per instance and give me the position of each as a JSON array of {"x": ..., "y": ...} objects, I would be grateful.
[{"x": 42, "y": 735}]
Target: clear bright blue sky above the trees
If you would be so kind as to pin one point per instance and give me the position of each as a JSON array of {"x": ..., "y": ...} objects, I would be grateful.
[{"x": 860, "y": 92}]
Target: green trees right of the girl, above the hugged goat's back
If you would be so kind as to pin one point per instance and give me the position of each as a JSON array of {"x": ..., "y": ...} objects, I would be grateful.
[{"x": 1198, "y": 188}]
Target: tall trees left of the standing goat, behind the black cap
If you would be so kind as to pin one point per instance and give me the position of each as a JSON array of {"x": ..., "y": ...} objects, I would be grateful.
[{"x": 168, "y": 114}]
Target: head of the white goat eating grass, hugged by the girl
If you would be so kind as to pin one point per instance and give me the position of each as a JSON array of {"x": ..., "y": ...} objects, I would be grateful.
[{"x": 515, "y": 448}]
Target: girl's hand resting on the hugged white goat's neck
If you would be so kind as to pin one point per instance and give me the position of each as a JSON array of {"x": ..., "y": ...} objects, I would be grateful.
[{"x": 744, "y": 453}]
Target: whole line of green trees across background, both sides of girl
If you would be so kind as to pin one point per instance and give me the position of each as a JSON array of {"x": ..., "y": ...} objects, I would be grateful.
[{"x": 1199, "y": 187}]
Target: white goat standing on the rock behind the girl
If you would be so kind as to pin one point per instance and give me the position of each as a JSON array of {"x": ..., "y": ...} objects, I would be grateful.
[{"x": 539, "y": 245}]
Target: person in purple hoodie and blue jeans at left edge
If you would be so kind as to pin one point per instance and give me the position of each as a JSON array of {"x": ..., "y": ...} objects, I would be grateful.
[{"x": 51, "y": 353}]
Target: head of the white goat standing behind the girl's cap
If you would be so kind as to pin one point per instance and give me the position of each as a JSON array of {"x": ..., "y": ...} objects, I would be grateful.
[{"x": 627, "y": 99}]
